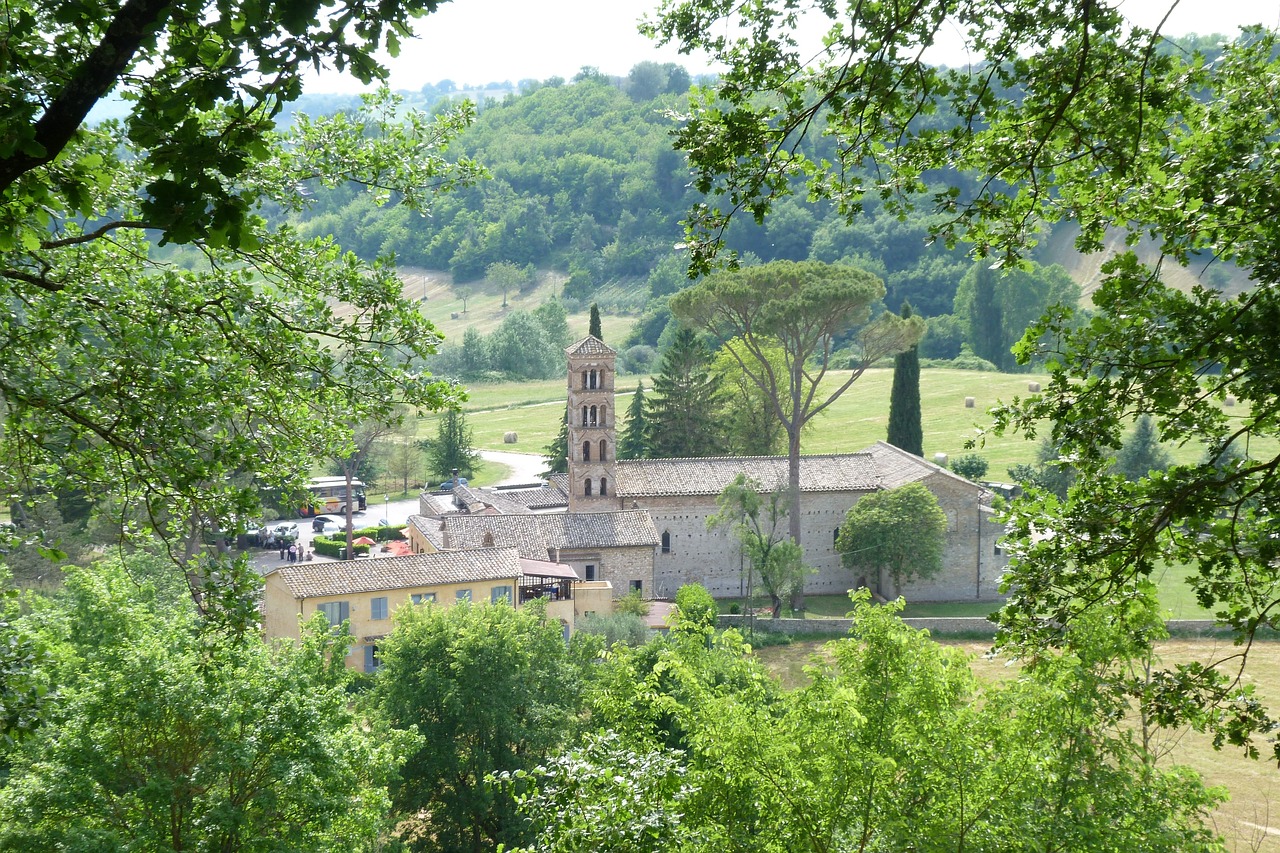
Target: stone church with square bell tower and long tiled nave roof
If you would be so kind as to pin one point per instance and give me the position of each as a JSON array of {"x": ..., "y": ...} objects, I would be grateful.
[{"x": 679, "y": 495}]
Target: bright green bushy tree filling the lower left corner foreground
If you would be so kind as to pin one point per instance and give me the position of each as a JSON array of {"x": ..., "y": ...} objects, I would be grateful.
[{"x": 168, "y": 738}]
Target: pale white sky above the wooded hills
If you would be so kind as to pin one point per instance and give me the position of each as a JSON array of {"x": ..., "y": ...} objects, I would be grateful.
[{"x": 482, "y": 42}]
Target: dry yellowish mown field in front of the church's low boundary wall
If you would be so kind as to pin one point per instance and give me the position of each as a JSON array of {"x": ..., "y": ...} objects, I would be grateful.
[{"x": 1249, "y": 822}]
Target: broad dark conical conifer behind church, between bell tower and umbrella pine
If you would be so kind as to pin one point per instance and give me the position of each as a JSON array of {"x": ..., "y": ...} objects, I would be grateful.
[{"x": 683, "y": 414}]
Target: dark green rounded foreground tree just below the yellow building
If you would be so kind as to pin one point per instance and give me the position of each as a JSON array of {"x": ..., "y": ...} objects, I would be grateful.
[{"x": 490, "y": 688}]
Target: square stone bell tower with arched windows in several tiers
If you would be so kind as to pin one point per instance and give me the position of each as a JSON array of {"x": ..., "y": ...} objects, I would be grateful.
[{"x": 592, "y": 435}]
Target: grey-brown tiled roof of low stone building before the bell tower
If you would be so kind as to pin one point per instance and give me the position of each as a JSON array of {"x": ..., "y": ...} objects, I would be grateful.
[{"x": 541, "y": 536}]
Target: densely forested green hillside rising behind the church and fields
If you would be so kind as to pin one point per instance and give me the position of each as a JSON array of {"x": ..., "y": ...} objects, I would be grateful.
[{"x": 588, "y": 191}]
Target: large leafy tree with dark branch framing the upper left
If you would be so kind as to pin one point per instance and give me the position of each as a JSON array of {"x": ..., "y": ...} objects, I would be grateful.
[{"x": 153, "y": 291}]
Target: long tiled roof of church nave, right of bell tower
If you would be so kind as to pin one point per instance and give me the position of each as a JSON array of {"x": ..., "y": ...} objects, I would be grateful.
[{"x": 657, "y": 477}]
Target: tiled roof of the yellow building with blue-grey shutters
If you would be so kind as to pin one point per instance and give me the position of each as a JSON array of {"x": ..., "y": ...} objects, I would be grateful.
[{"x": 354, "y": 577}]
